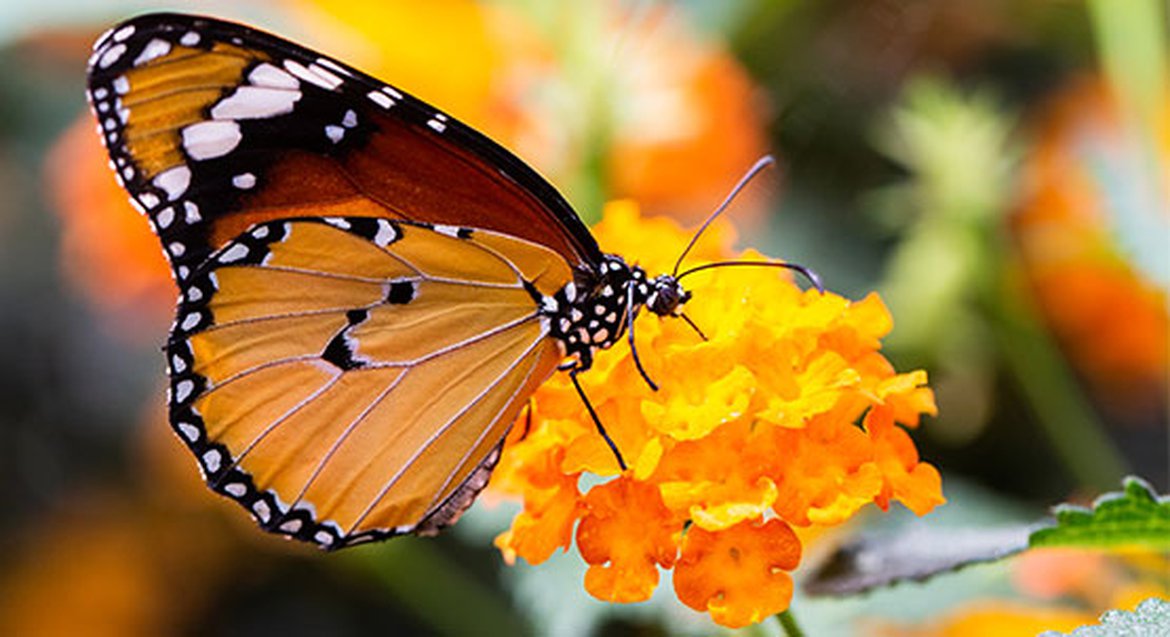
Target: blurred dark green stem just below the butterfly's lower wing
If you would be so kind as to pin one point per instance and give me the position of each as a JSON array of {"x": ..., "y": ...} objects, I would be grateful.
[{"x": 442, "y": 595}]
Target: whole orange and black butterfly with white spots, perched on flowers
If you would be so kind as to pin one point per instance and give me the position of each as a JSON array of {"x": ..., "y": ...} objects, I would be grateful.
[{"x": 369, "y": 290}]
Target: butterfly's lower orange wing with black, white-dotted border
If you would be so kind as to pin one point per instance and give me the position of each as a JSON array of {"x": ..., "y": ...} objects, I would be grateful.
[{"x": 352, "y": 379}]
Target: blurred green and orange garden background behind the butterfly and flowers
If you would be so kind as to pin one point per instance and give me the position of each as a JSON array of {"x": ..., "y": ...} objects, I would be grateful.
[{"x": 999, "y": 170}]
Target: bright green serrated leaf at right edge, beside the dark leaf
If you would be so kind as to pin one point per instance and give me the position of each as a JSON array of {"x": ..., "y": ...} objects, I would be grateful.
[{"x": 1137, "y": 517}]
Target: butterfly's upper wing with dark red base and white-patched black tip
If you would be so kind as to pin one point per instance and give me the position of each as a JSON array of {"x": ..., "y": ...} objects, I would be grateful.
[{"x": 215, "y": 127}]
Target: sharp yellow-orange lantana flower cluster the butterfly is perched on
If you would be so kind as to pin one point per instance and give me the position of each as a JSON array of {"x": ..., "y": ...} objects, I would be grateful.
[{"x": 786, "y": 417}]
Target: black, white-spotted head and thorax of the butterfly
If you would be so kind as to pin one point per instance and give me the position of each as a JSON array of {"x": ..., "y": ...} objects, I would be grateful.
[{"x": 593, "y": 312}]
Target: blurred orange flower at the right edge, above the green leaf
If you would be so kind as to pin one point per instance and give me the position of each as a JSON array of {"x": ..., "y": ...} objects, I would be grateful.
[{"x": 1079, "y": 181}]
